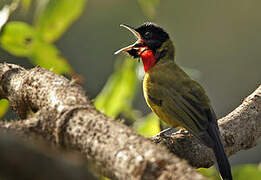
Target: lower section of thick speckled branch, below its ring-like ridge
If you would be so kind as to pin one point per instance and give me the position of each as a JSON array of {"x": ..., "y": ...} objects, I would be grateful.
[{"x": 116, "y": 149}]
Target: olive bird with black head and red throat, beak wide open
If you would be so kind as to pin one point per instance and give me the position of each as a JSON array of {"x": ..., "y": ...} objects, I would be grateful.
[{"x": 173, "y": 95}]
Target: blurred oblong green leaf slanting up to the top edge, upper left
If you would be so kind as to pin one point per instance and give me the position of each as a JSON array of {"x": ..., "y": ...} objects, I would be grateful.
[{"x": 57, "y": 16}]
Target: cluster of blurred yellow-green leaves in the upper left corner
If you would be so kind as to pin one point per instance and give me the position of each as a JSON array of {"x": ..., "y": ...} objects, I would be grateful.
[{"x": 34, "y": 42}]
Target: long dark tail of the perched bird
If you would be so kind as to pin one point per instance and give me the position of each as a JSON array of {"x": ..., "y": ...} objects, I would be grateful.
[{"x": 221, "y": 157}]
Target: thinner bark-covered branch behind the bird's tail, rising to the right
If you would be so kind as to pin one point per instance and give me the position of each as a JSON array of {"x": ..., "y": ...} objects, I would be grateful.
[{"x": 239, "y": 130}]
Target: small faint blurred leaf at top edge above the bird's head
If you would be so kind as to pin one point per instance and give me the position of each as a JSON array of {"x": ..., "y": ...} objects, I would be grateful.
[{"x": 149, "y": 7}]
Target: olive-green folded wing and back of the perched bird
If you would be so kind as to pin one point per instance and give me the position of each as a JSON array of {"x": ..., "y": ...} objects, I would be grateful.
[{"x": 182, "y": 99}]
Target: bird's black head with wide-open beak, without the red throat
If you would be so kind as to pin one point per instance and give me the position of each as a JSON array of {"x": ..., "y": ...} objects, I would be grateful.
[{"x": 149, "y": 37}]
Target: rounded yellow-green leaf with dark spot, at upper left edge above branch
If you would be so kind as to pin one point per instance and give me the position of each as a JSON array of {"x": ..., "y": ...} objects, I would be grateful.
[{"x": 18, "y": 38}]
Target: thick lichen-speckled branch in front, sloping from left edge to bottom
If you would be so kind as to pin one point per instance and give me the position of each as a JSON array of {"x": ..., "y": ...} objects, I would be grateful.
[{"x": 59, "y": 110}]
